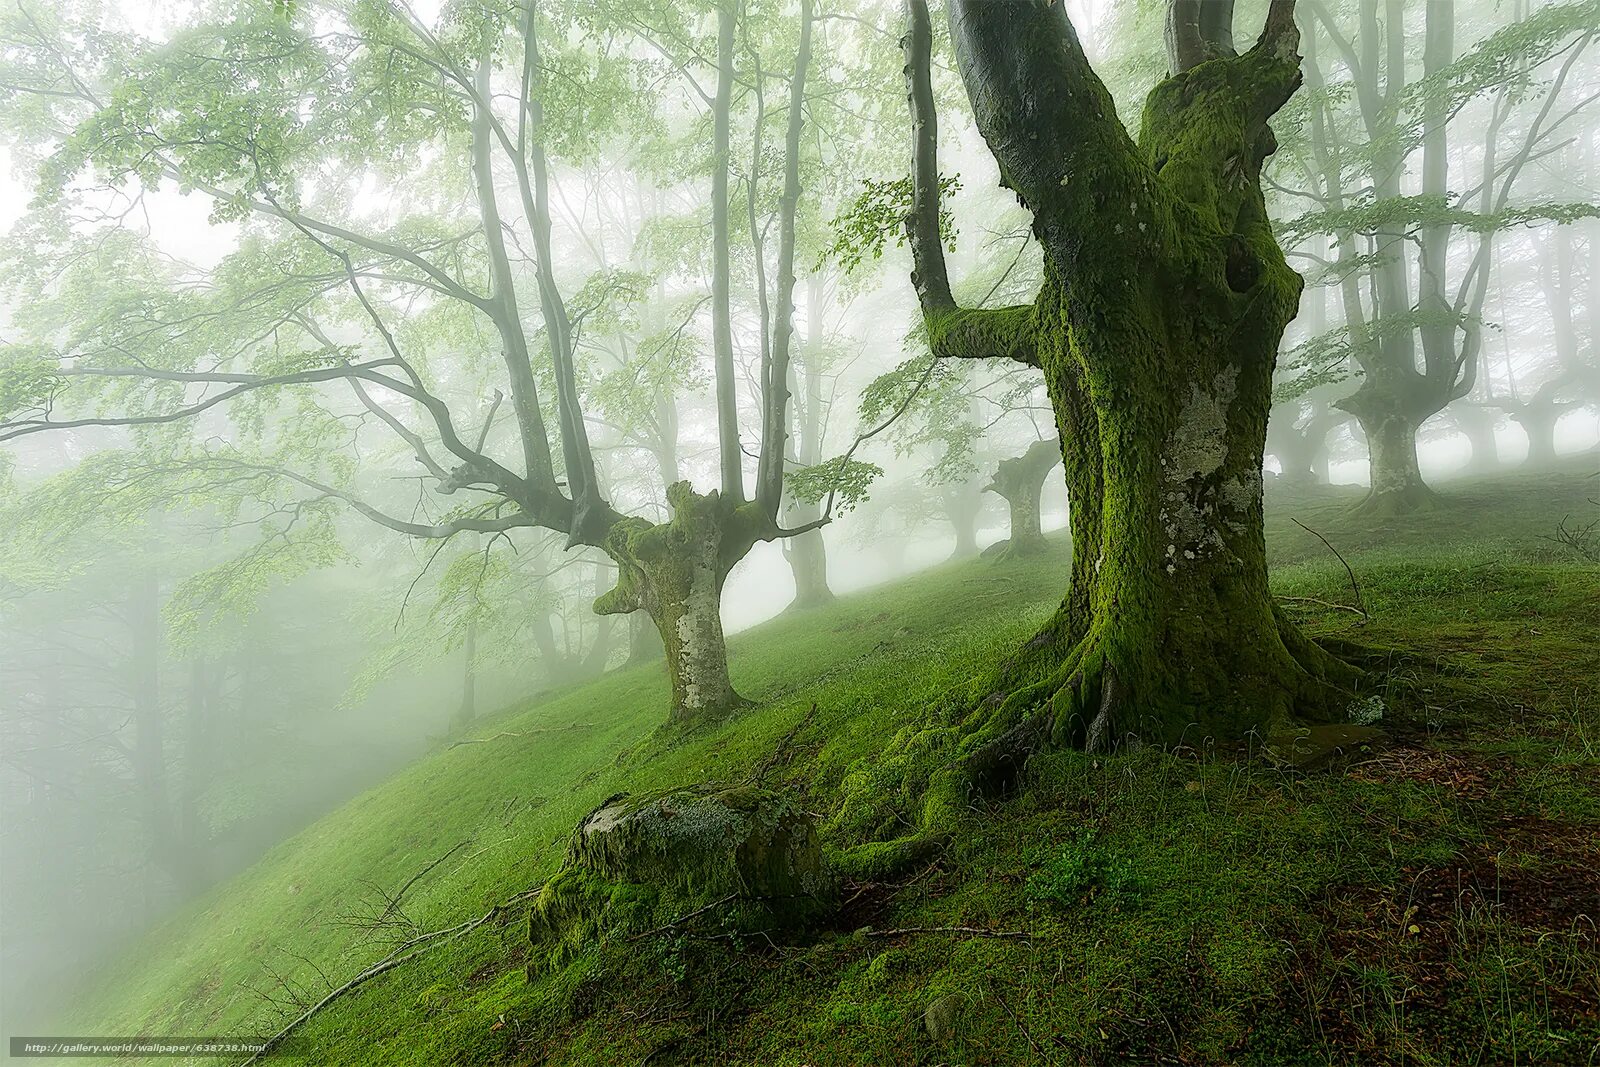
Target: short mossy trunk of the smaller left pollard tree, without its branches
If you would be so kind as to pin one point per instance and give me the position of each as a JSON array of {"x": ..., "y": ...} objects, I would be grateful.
[{"x": 674, "y": 572}]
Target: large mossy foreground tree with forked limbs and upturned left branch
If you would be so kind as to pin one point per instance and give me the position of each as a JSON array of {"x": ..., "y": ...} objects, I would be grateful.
[{"x": 1158, "y": 330}]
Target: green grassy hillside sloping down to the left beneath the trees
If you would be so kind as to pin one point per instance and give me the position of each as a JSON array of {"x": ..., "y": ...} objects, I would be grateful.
[{"x": 1430, "y": 898}]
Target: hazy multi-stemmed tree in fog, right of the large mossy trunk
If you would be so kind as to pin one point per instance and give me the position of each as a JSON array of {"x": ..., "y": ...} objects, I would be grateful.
[{"x": 1406, "y": 234}]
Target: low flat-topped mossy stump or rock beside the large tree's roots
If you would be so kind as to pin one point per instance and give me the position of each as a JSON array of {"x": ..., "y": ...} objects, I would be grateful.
[{"x": 650, "y": 861}]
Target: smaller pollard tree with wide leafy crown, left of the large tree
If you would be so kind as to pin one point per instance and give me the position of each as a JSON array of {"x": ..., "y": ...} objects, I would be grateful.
[{"x": 340, "y": 316}]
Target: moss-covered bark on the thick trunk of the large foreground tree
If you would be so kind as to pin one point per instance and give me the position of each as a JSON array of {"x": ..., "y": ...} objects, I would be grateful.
[{"x": 1159, "y": 343}]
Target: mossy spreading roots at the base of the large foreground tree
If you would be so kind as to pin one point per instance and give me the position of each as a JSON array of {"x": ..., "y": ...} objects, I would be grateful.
[{"x": 1092, "y": 695}]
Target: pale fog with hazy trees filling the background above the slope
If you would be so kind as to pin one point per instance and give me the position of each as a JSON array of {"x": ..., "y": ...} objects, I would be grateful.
[{"x": 338, "y": 382}]
